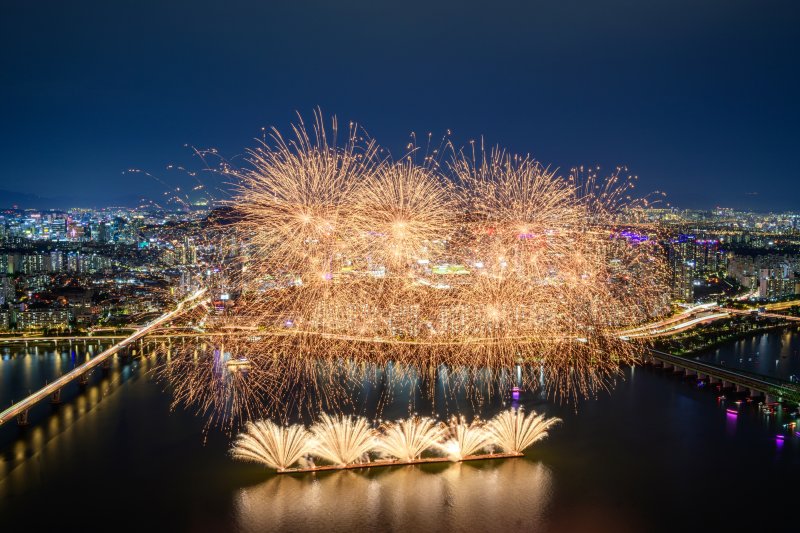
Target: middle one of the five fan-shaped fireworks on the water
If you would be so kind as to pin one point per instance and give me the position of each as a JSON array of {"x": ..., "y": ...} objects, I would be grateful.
[{"x": 407, "y": 439}]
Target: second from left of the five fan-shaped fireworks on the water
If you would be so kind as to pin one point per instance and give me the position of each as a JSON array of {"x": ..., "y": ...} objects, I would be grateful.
[{"x": 342, "y": 440}]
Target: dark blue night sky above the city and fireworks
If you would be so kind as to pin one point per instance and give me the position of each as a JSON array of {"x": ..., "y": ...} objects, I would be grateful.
[{"x": 699, "y": 98}]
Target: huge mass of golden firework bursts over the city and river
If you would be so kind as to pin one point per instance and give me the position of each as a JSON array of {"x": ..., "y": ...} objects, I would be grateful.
[{"x": 349, "y": 267}]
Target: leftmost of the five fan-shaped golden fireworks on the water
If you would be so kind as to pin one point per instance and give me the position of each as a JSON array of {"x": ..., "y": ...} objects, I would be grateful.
[{"x": 278, "y": 447}]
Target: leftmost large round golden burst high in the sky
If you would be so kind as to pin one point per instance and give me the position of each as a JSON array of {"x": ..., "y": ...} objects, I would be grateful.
[{"x": 292, "y": 199}]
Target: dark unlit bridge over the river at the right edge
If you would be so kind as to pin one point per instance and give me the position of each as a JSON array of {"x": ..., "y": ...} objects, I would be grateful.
[{"x": 754, "y": 384}]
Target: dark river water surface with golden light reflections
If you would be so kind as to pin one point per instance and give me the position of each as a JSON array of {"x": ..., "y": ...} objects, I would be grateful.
[{"x": 658, "y": 453}]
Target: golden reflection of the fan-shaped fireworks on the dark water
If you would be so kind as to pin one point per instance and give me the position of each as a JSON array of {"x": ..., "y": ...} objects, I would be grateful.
[{"x": 509, "y": 495}]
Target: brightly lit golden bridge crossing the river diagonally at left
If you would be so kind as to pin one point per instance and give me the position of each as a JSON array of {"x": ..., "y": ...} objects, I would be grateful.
[{"x": 19, "y": 410}]
